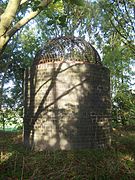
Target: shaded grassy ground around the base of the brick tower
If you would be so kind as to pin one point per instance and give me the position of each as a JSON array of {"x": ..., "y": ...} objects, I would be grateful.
[{"x": 117, "y": 162}]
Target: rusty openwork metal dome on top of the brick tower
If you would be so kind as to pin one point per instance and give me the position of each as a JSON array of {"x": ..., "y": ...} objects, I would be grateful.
[{"x": 68, "y": 49}]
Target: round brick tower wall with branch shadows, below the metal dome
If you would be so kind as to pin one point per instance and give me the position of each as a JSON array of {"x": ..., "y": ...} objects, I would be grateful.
[{"x": 67, "y": 105}]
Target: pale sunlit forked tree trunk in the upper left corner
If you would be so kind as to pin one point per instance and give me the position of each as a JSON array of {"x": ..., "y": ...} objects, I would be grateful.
[{"x": 7, "y": 17}]
